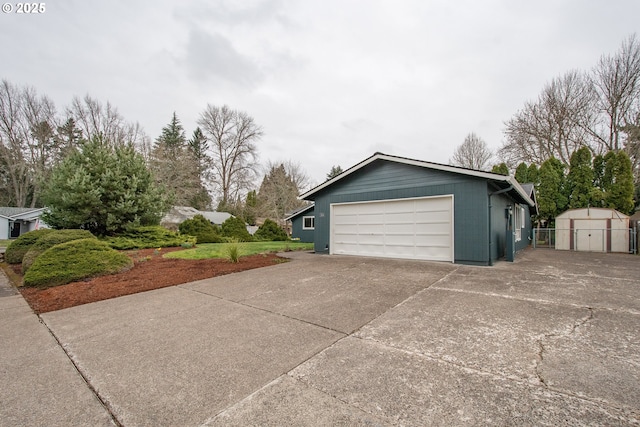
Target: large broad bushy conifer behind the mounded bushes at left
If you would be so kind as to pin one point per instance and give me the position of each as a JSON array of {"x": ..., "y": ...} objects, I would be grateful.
[{"x": 103, "y": 188}]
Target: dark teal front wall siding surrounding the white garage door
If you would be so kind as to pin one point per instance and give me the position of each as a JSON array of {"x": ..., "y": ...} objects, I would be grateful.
[{"x": 387, "y": 180}]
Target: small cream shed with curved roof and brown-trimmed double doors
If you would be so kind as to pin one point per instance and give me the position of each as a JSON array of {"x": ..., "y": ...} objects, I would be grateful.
[{"x": 592, "y": 230}]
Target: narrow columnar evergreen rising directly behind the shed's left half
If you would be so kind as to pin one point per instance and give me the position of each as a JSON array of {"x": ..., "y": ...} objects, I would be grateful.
[{"x": 580, "y": 187}]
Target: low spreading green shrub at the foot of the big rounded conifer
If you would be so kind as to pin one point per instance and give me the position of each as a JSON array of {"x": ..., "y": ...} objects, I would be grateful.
[{"x": 152, "y": 236}]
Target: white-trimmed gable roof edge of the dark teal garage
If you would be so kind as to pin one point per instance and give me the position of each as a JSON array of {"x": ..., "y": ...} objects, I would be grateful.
[{"x": 505, "y": 181}]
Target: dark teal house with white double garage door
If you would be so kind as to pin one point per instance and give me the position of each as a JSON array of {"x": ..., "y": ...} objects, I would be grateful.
[{"x": 389, "y": 206}]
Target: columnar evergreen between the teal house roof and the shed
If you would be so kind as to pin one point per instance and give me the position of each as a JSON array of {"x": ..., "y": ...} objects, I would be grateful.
[{"x": 551, "y": 197}]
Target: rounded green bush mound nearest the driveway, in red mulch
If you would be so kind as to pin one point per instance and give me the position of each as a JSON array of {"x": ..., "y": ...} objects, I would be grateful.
[{"x": 75, "y": 260}]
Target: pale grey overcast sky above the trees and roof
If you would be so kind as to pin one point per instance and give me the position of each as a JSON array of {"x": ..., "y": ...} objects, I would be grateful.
[{"x": 330, "y": 81}]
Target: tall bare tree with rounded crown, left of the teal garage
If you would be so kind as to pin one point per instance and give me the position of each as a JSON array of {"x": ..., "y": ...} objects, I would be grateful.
[{"x": 232, "y": 136}]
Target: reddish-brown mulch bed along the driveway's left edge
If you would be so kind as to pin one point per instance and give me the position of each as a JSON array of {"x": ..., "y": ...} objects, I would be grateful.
[{"x": 150, "y": 271}]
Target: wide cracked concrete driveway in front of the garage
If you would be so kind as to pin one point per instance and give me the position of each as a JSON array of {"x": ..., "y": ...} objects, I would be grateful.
[{"x": 553, "y": 339}]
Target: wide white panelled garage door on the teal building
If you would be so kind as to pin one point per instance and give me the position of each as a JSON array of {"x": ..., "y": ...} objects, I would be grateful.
[{"x": 417, "y": 228}]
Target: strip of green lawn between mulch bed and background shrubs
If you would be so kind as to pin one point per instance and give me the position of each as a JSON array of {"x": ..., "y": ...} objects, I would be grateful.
[{"x": 217, "y": 250}]
